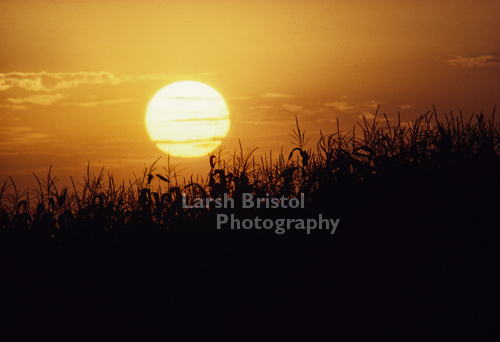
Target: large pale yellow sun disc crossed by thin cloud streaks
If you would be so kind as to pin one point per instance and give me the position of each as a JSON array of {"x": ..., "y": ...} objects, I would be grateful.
[{"x": 187, "y": 119}]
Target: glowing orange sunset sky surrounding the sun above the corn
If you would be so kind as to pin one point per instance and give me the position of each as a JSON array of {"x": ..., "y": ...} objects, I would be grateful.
[{"x": 76, "y": 77}]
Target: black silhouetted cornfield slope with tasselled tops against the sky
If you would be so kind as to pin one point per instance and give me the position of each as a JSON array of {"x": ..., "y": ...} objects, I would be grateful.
[{"x": 415, "y": 255}]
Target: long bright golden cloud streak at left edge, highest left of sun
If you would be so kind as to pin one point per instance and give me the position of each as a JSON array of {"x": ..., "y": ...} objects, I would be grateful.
[{"x": 45, "y": 81}]
